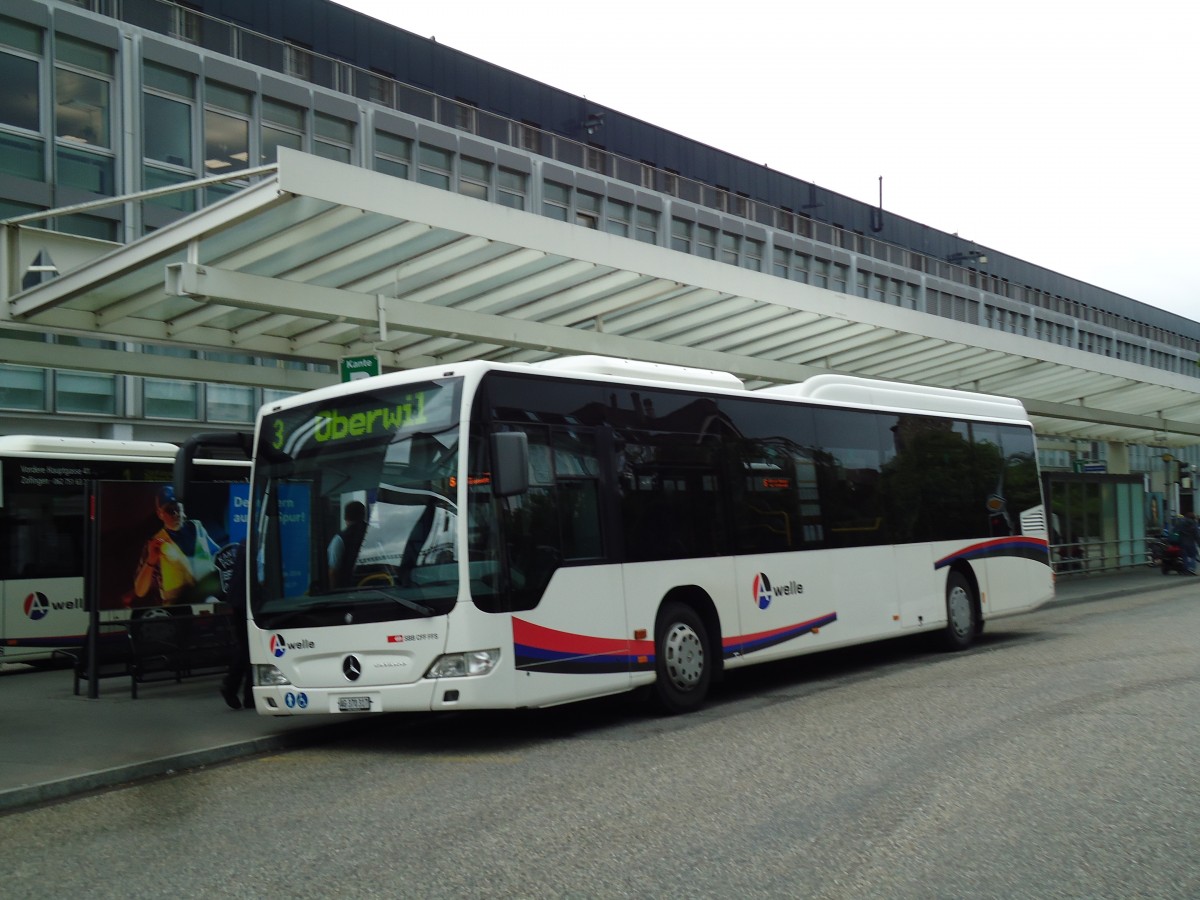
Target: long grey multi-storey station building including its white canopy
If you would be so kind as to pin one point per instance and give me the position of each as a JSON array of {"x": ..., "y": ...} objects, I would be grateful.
[{"x": 212, "y": 205}]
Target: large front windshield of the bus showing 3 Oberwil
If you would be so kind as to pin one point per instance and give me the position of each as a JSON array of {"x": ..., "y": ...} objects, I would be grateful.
[{"x": 355, "y": 512}]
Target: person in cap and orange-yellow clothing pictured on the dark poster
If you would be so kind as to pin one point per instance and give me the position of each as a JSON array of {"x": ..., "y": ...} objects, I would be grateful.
[{"x": 179, "y": 560}]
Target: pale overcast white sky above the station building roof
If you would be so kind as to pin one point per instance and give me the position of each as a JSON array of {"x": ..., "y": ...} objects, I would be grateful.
[{"x": 1064, "y": 133}]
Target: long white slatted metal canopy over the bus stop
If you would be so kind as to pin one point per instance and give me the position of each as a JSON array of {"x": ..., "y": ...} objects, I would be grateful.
[{"x": 321, "y": 261}]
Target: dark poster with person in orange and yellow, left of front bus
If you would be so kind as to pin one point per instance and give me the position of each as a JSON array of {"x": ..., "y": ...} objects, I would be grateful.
[{"x": 155, "y": 551}]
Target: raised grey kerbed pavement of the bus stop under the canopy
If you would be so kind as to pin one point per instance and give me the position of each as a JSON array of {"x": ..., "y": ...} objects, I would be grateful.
[{"x": 57, "y": 745}]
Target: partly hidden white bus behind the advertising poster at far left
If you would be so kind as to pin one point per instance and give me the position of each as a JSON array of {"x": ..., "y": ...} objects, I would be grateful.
[{"x": 44, "y": 535}]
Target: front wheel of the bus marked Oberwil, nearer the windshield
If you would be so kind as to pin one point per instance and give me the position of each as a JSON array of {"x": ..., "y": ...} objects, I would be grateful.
[{"x": 682, "y": 661}]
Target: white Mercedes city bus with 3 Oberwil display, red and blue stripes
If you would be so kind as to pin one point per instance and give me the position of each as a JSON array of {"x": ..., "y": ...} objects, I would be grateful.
[{"x": 545, "y": 533}]
